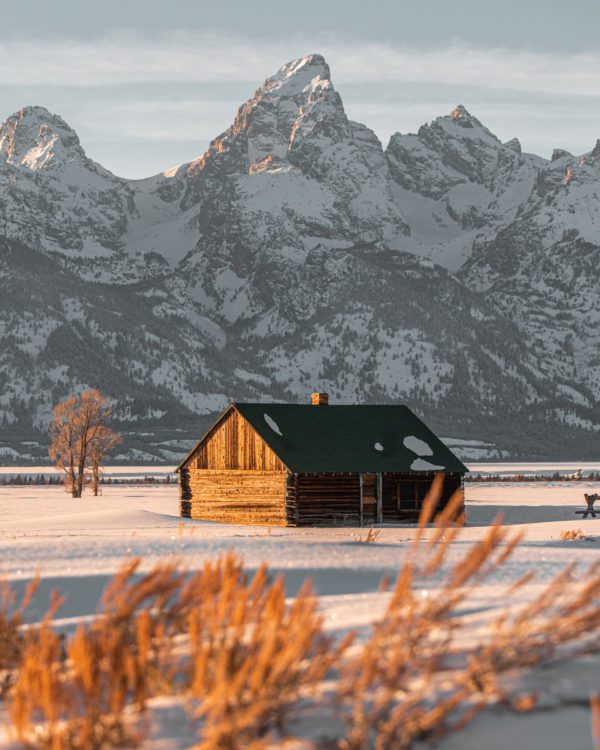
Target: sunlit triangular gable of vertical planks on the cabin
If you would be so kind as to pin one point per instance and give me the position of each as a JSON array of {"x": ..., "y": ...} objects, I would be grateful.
[{"x": 233, "y": 444}]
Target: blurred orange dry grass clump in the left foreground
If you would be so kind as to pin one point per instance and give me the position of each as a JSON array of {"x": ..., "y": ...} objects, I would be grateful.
[{"x": 241, "y": 654}]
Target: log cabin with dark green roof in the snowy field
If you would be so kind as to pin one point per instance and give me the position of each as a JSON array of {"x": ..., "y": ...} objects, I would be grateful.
[{"x": 315, "y": 465}]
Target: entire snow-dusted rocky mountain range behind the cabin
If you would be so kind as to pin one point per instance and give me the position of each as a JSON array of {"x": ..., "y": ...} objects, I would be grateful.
[{"x": 296, "y": 254}]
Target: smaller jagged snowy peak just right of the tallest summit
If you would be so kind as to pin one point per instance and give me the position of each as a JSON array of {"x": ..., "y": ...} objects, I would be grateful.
[{"x": 460, "y": 185}]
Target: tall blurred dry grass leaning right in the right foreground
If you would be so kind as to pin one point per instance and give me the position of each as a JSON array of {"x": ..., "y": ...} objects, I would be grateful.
[{"x": 414, "y": 678}]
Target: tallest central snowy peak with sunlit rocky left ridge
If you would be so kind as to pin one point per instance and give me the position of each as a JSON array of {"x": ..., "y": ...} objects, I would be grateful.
[{"x": 296, "y": 122}]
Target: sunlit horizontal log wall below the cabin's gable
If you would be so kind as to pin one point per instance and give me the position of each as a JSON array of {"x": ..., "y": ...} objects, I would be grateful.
[{"x": 238, "y": 496}]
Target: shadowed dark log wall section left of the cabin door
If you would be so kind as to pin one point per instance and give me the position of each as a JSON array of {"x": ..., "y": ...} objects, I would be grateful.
[{"x": 323, "y": 500}]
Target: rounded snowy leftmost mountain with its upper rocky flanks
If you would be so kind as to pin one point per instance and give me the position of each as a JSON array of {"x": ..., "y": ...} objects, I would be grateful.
[{"x": 52, "y": 195}]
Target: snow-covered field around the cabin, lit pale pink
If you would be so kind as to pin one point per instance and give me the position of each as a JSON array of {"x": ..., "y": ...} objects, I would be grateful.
[{"x": 77, "y": 544}]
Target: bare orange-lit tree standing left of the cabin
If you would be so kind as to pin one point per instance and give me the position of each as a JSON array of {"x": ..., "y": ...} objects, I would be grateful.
[{"x": 77, "y": 422}]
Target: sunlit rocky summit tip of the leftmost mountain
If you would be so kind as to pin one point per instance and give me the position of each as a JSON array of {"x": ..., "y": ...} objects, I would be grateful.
[{"x": 36, "y": 139}]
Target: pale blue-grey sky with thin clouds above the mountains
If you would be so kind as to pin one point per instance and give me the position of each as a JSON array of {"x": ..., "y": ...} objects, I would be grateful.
[{"x": 147, "y": 85}]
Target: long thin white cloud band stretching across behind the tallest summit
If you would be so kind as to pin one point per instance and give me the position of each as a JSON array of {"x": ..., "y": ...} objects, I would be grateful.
[{"x": 203, "y": 58}]
